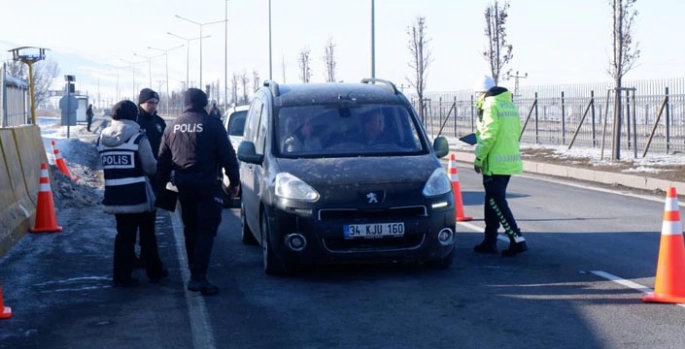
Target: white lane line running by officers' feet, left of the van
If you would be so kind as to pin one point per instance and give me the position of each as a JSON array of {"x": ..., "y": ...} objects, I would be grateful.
[{"x": 200, "y": 326}]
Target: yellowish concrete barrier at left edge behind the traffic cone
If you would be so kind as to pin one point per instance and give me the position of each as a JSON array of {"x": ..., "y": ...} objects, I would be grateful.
[{"x": 21, "y": 153}]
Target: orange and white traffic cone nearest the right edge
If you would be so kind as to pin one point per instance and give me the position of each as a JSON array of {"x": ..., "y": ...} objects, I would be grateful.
[{"x": 669, "y": 286}]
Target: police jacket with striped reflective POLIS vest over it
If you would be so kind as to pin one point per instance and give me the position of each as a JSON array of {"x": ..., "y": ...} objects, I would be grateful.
[{"x": 127, "y": 161}]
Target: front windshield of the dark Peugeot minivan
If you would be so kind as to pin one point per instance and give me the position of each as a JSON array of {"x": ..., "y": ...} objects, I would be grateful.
[{"x": 356, "y": 130}]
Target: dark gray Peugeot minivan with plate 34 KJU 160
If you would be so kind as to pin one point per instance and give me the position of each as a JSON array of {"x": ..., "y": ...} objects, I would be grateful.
[{"x": 343, "y": 172}]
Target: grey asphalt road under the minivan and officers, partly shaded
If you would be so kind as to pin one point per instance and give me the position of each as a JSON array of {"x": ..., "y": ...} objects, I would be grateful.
[{"x": 554, "y": 296}]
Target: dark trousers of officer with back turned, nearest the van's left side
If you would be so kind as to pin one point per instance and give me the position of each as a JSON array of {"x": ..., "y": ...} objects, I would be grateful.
[{"x": 201, "y": 207}]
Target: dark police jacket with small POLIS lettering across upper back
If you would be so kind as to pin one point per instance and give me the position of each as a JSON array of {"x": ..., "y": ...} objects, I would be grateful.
[{"x": 195, "y": 146}]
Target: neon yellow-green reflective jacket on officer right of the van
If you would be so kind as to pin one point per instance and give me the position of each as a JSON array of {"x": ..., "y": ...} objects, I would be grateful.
[{"x": 499, "y": 128}]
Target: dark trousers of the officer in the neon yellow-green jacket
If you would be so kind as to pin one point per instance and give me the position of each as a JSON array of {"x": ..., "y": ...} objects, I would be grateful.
[{"x": 496, "y": 209}]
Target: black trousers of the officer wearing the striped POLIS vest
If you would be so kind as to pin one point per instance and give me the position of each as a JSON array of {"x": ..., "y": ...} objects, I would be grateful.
[{"x": 128, "y": 225}]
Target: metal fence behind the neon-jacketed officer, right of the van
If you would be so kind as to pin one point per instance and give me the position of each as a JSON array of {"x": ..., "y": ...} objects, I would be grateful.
[{"x": 653, "y": 115}]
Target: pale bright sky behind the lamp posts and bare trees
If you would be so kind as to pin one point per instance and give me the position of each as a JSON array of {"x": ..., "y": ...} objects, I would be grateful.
[{"x": 554, "y": 41}]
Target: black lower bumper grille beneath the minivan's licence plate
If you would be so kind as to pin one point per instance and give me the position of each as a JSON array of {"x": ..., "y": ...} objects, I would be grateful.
[{"x": 339, "y": 245}]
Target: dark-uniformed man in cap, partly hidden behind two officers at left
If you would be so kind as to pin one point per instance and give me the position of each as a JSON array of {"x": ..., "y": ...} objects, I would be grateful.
[{"x": 153, "y": 126}]
